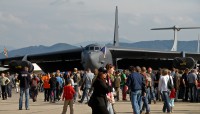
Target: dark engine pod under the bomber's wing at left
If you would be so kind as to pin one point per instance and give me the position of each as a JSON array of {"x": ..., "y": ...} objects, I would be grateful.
[{"x": 17, "y": 66}]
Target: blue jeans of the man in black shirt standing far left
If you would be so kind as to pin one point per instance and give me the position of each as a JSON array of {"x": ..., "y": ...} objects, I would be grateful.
[{"x": 22, "y": 91}]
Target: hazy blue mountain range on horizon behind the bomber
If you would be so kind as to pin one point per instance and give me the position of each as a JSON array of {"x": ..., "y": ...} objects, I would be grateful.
[{"x": 161, "y": 45}]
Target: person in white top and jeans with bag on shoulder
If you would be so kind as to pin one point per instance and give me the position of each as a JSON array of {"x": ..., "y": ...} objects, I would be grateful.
[{"x": 163, "y": 88}]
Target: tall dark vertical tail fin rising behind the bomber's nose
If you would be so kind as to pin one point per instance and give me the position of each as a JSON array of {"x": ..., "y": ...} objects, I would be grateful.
[{"x": 116, "y": 38}]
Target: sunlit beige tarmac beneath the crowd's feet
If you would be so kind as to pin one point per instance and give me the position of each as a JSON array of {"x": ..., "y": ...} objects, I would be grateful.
[{"x": 10, "y": 106}]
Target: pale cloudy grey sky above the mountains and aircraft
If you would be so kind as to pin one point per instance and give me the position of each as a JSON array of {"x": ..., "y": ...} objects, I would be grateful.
[{"x": 26, "y": 23}]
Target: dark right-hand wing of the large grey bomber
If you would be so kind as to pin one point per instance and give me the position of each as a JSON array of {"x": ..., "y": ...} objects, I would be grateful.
[{"x": 125, "y": 57}]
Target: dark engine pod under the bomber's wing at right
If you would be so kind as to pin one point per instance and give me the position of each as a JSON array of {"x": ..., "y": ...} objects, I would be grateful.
[{"x": 183, "y": 63}]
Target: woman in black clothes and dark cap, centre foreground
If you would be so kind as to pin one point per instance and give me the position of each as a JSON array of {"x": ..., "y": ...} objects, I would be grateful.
[{"x": 99, "y": 94}]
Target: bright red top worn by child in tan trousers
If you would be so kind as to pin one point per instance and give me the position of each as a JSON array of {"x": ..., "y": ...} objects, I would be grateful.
[{"x": 68, "y": 92}]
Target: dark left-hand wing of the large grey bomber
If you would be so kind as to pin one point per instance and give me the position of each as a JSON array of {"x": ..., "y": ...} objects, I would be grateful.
[{"x": 52, "y": 60}]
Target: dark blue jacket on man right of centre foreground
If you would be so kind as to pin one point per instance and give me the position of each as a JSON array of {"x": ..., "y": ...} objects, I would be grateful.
[{"x": 135, "y": 81}]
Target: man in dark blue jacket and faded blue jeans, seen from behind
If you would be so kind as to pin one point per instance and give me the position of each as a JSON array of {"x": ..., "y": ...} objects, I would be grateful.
[{"x": 136, "y": 82}]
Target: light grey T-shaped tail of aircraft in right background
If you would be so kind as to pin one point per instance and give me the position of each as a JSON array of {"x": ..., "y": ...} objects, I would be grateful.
[{"x": 176, "y": 29}]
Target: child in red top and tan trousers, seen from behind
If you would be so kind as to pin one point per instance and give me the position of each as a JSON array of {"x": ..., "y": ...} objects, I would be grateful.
[{"x": 68, "y": 97}]
